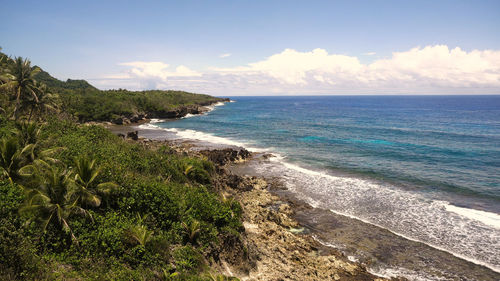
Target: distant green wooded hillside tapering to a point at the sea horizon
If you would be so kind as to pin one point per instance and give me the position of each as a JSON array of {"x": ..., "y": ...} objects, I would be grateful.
[{"x": 87, "y": 103}]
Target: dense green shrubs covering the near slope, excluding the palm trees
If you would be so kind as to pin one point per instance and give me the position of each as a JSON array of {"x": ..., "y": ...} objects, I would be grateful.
[{"x": 180, "y": 206}]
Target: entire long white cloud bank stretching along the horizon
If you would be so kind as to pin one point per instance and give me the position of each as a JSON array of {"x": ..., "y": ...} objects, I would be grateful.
[{"x": 428, "y": 70}]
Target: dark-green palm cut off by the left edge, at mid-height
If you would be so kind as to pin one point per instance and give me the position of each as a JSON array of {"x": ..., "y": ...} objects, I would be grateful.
[{"x": 13, "y": 157}]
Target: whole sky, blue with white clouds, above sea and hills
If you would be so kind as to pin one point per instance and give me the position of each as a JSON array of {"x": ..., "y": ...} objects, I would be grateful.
[{"x": 268, "y": 47}]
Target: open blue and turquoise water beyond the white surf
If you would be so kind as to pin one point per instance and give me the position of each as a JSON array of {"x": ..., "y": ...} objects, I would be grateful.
[{"x": 449, "y": 143}]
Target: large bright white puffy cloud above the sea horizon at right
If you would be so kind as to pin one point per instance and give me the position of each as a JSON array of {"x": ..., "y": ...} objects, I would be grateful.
[{"x": 432, "y": 67}]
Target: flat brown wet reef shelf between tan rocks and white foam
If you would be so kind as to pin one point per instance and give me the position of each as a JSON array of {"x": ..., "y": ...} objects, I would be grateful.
[{"x": 383, "y": 252}]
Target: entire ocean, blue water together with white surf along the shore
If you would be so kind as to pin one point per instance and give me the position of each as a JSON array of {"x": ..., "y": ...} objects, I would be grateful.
[{"x": 426, "y": 168}]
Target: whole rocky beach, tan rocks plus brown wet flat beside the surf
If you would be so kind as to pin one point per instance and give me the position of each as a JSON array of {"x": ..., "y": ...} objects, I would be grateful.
[{"x": 288, "y": 238}]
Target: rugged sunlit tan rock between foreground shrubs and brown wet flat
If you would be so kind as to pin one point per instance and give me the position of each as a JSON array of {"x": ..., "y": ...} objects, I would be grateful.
[{"x": 280, "y": 248}]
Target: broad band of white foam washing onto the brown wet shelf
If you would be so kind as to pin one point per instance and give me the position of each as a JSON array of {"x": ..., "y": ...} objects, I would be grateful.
[{"x": 407, "y": 214}]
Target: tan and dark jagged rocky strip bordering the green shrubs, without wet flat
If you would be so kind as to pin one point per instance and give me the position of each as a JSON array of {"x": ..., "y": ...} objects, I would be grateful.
[{"x": 274, "y": 246}]
